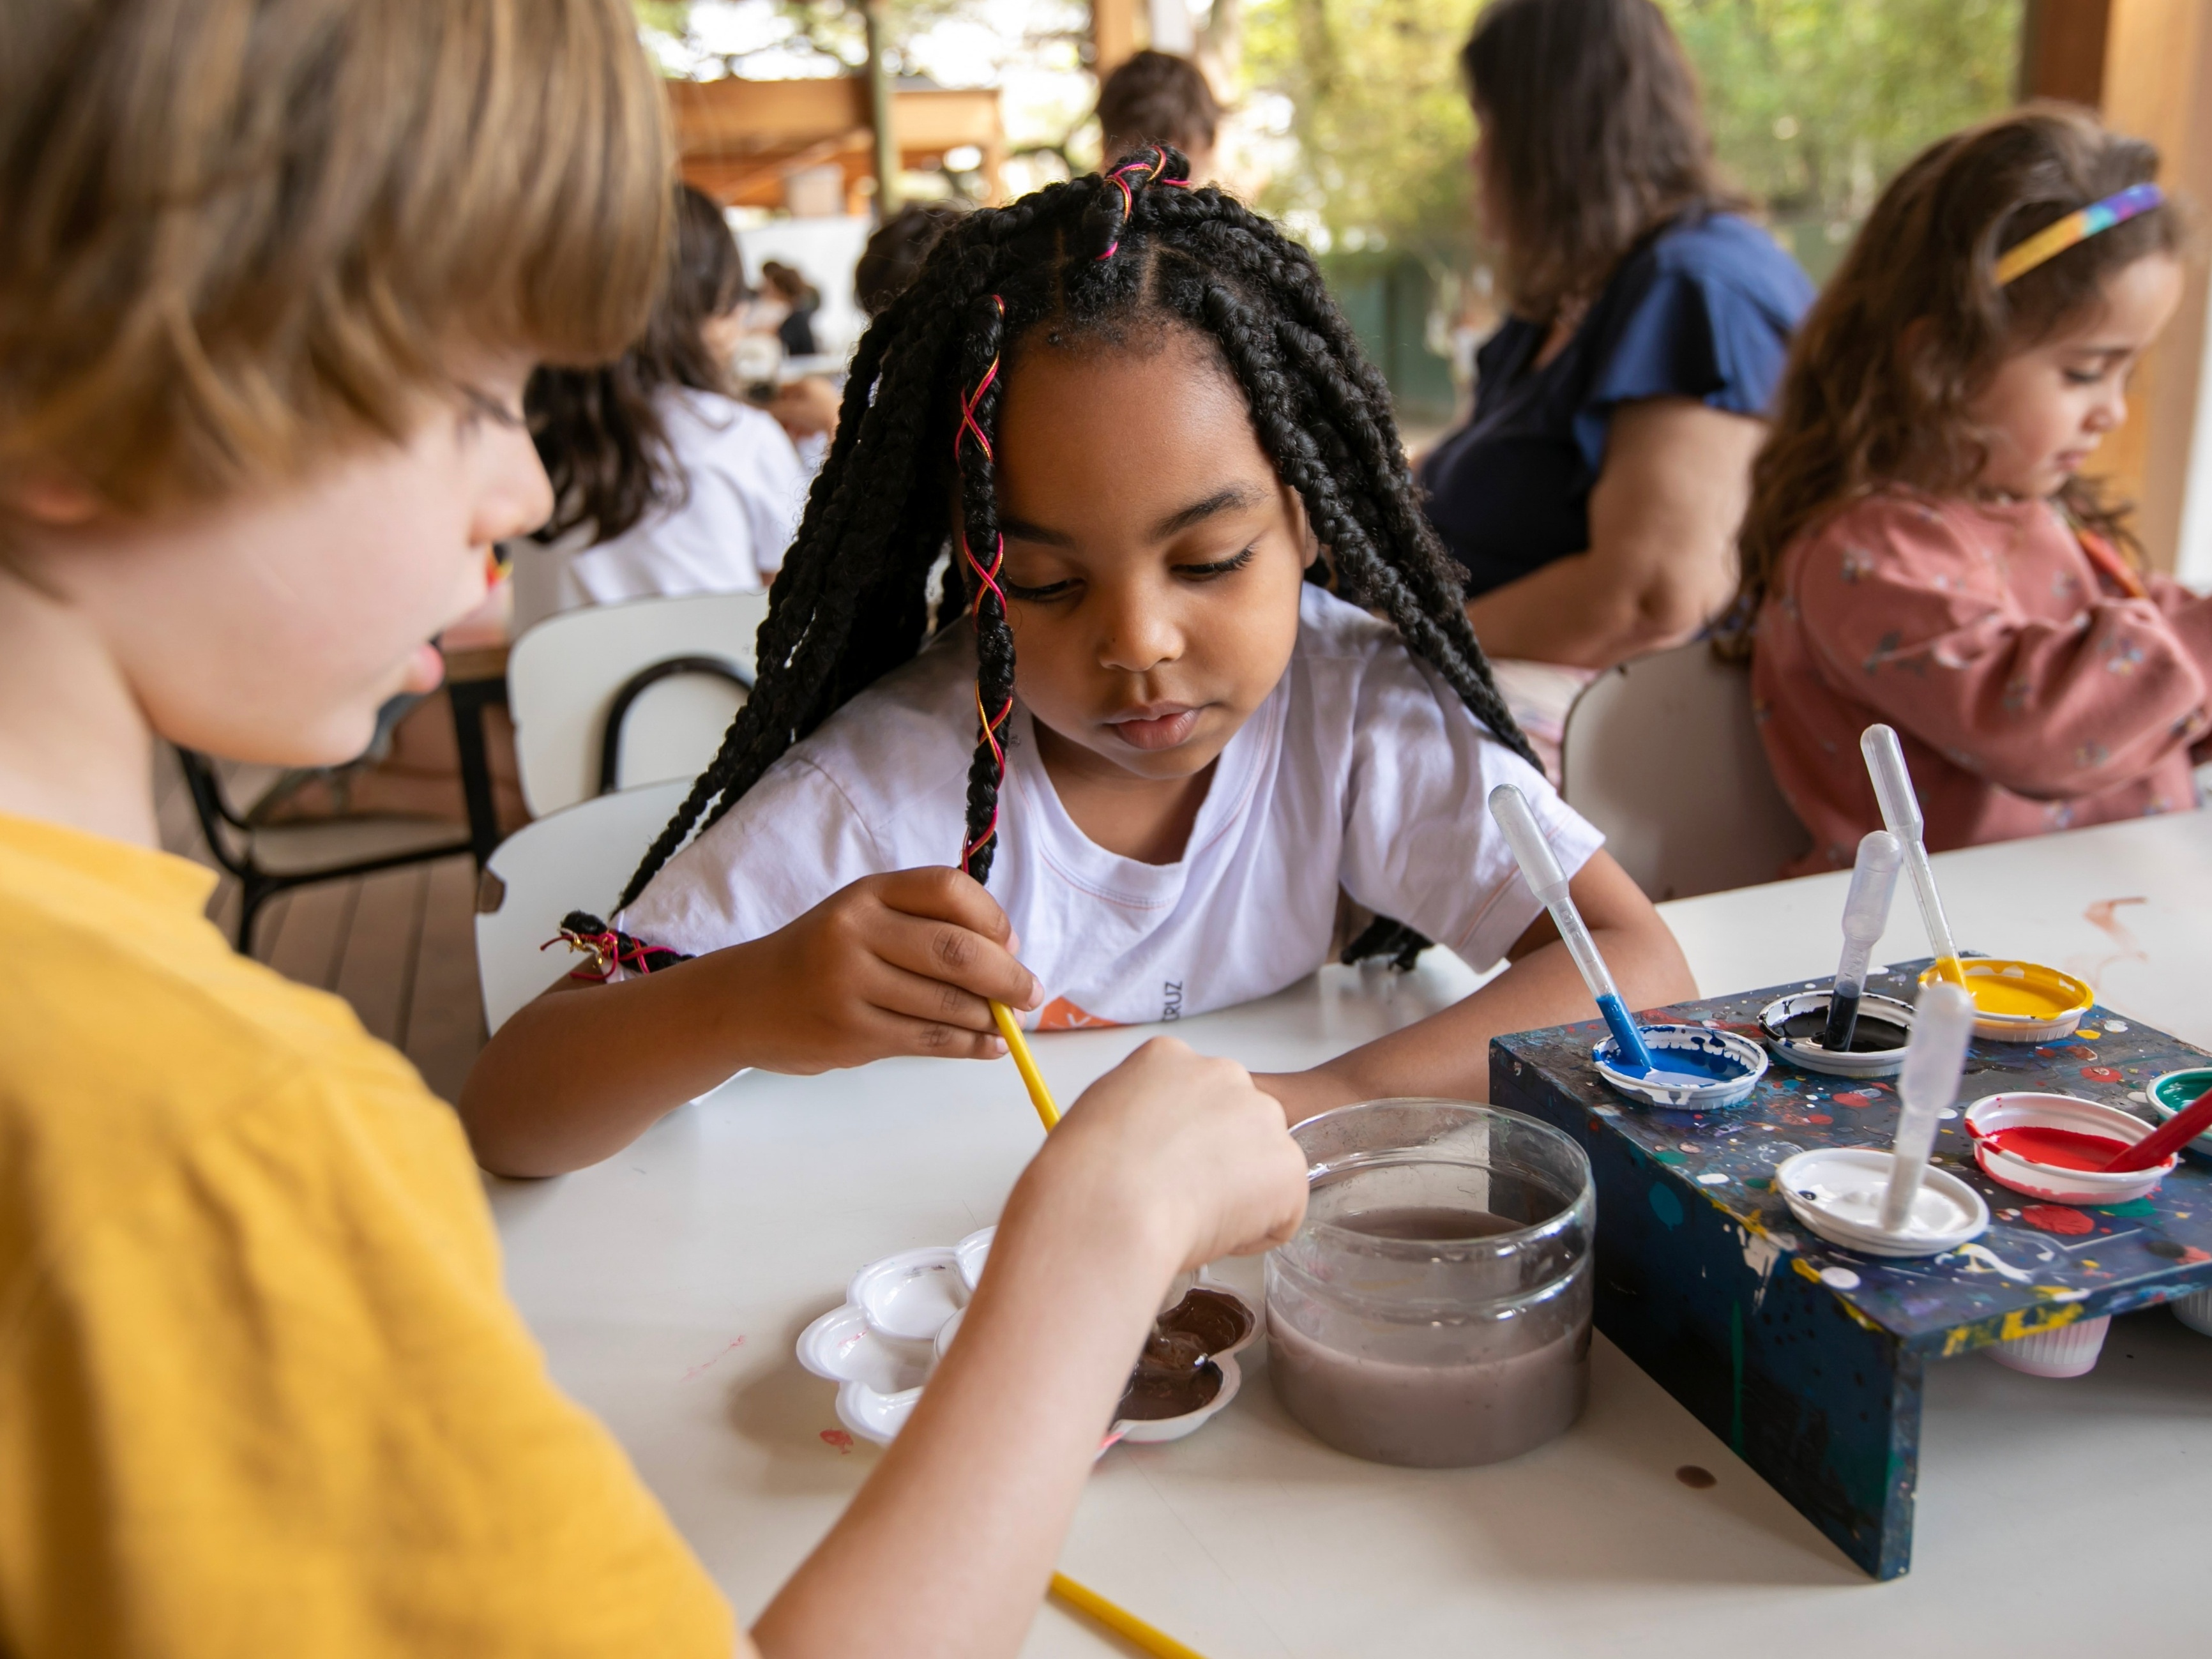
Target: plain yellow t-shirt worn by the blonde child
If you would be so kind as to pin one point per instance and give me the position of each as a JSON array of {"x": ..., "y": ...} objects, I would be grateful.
[{"x": 260, "y": 1386}]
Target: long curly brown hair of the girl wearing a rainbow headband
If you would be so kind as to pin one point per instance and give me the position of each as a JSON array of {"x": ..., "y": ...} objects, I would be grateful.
[{"x": 1914, "y": 324}]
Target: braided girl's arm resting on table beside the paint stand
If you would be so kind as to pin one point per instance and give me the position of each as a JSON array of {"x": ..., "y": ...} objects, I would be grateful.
[{"x": 1450, "y": 1054}]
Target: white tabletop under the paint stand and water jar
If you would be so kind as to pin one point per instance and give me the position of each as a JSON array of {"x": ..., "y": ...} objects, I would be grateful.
[{"x": 671, "y": 1282}]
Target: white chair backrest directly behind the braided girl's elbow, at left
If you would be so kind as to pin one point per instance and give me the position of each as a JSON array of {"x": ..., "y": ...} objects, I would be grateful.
[{"x": 572, "y": 859}]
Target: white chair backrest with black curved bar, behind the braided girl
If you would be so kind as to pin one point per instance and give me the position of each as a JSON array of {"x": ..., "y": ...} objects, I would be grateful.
[{"x": 565, "y": 676}]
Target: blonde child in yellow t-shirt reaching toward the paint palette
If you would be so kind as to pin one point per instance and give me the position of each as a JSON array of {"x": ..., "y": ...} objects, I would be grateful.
[{"x": 273, "y": 278}]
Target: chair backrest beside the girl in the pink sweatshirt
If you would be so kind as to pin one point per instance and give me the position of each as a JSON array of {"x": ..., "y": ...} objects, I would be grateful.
[{"x": 1665, "y": 758}]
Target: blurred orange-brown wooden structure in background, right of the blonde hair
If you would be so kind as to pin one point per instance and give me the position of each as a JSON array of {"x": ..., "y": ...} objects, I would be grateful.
[{"x": 740, "y": 140}]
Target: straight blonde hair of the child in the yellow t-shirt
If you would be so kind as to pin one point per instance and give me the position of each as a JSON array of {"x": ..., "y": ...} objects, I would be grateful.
[{"x": 242, "y": 233}]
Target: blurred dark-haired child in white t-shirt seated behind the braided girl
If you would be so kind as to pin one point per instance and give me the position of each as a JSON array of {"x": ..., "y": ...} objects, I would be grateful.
[{"x": 662, "y": 481}]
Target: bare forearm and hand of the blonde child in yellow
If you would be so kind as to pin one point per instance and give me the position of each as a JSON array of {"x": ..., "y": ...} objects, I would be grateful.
[{"x": 1167, "y": 1162}]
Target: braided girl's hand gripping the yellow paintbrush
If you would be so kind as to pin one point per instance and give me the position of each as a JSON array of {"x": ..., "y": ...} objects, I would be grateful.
[{"x": 890, "y": 966}]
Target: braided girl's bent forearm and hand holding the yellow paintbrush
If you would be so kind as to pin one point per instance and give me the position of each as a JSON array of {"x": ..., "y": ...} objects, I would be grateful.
[{"x": 890, "y": 966}]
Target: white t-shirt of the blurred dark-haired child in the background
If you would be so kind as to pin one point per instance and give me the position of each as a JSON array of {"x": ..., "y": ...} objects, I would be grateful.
[{"x": 727, "y": 536}]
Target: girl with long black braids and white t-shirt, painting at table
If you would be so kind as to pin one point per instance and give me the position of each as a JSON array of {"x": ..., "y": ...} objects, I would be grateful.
[{"x": 1198, "y": 667}]
